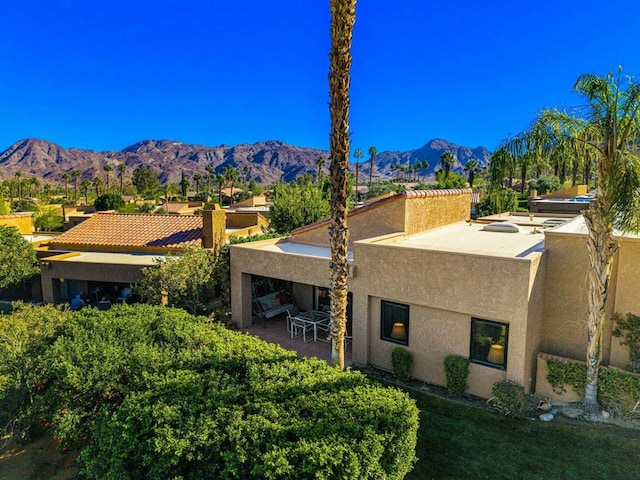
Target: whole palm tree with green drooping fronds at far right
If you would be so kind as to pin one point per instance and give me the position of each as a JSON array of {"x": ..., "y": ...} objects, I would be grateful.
[{"x": 609, "y": 129}]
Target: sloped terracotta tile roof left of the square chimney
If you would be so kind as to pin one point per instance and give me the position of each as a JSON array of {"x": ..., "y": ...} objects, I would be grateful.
[{"x": 133, "y": 230}]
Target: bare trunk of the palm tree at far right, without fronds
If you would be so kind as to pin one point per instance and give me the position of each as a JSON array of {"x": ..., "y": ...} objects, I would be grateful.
[{"x": 602, "y": 246}]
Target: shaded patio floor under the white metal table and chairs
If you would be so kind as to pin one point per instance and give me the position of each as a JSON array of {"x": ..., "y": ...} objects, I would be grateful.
[{"x": 276, "y": 332}]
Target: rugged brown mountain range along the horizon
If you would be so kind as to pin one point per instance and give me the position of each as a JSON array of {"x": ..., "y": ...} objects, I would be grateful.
[{"x": 269, "y": 161}]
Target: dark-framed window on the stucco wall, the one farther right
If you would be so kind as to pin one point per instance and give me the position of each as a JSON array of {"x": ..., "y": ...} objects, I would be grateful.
[{"x": 489, "y": 343}]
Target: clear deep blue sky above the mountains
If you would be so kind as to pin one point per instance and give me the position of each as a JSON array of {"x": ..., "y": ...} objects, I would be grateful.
[{"x": 104, "y": 74}]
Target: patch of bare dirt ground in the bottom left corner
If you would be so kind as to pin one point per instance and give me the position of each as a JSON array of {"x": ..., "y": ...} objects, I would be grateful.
[{"x": 38, "y": 460}]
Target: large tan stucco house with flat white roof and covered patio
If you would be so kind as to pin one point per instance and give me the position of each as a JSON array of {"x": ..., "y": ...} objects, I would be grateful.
[{"x": 425, "y": 278}]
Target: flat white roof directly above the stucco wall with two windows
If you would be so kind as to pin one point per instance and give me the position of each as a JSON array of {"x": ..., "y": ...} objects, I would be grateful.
[{"x": 473, "y": 239}]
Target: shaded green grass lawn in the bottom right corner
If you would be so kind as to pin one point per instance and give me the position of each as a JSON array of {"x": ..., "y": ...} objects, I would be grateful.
[{"x": 462, "y": 442}]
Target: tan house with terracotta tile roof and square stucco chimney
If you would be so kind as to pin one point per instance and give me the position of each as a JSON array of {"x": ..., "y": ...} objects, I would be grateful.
[{"x": 107, "y": 252}]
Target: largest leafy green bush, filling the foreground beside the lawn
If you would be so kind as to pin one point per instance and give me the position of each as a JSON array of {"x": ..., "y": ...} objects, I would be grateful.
[{"x": 152, "y": 392}]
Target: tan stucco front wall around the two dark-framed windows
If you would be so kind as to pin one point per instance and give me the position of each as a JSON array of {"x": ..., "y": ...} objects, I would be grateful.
[{"x": 443, "y": 291}]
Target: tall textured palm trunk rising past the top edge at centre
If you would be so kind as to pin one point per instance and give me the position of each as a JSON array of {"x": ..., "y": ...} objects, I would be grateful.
[{"x": 343, "y": 14}]
